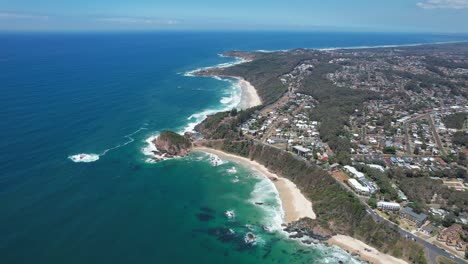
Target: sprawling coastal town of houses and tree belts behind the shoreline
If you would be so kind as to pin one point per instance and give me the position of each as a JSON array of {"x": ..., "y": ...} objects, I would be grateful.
[{"x": 401, "y": 151}]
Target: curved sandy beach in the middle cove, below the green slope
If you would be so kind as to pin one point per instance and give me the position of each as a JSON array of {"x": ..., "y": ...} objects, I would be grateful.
[{"x": 295, "y": 205}]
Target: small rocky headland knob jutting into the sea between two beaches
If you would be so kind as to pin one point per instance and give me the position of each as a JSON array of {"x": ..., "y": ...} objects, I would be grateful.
[{"x": 172, "y": 144}]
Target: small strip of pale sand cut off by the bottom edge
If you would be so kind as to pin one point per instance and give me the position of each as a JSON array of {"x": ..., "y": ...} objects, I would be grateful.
[{"x": 364, "y": 251}]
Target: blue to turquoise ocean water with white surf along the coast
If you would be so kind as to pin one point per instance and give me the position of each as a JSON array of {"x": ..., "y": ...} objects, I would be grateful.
[{"x": 106, "y": 93}]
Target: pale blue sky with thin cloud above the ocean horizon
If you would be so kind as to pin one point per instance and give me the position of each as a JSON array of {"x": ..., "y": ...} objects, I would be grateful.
[{"x": 447, "y": 16}]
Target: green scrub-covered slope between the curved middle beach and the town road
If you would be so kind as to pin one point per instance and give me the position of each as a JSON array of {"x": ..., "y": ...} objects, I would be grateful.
[{"x": 337, "y": 210}]
